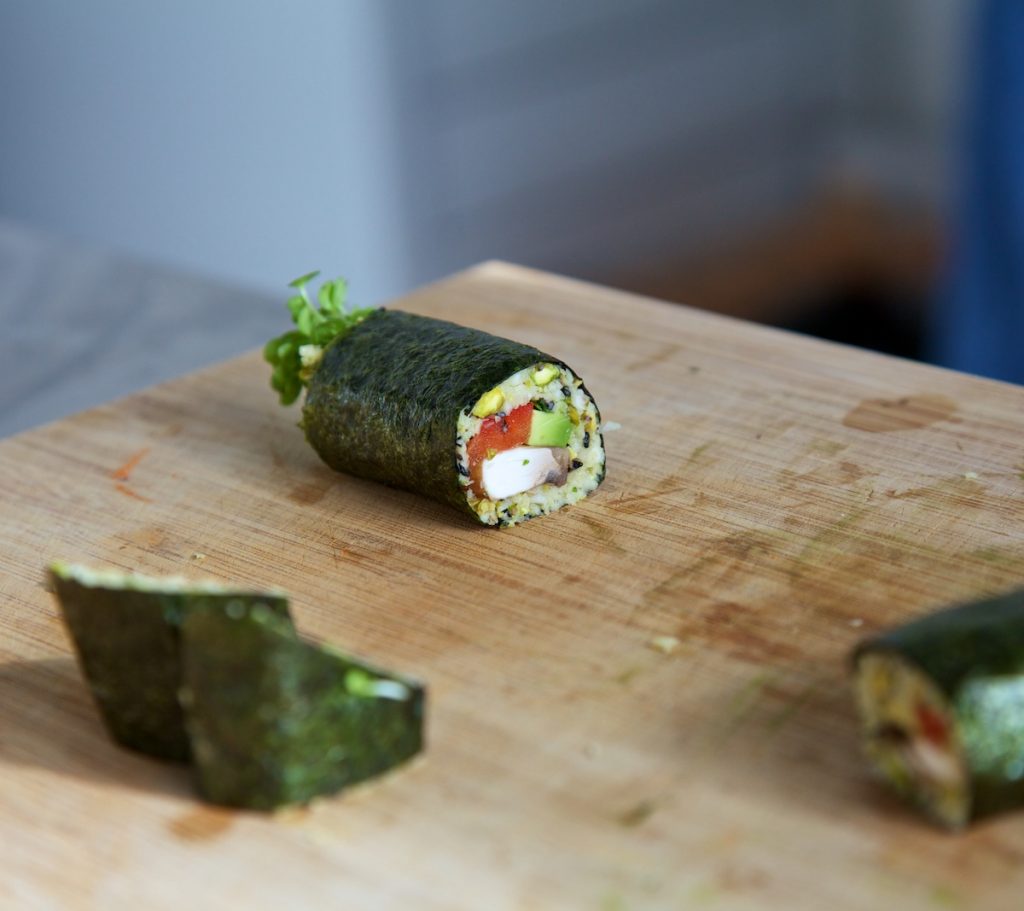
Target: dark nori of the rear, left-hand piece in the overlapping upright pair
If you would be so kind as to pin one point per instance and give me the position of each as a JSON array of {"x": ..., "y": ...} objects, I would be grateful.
[{"x": 127, "y": 643}]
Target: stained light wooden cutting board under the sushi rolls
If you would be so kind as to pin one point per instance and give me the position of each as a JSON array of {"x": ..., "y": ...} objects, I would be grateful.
[{"x": 771, "y": 500}]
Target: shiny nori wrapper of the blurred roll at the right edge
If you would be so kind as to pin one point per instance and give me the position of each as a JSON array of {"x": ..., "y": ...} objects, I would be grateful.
[{"x": 975, "y": 656}]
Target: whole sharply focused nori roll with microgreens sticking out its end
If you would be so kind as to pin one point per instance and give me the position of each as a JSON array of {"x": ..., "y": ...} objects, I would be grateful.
[{"x": 496, "y": 428}]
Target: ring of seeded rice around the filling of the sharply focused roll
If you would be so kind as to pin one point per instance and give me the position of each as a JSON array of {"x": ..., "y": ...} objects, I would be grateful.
[{"x": 556, "y": 389}]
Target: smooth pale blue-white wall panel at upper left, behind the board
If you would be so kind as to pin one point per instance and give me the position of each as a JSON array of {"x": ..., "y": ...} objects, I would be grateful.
[{"x": 247, "y": 141}]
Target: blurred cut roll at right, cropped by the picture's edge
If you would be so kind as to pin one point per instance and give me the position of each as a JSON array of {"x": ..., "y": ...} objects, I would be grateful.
[{"x": 943, "y": 707}]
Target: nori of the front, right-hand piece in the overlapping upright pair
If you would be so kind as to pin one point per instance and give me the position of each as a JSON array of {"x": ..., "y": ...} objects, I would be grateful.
[{"x": 276, "y": 721}]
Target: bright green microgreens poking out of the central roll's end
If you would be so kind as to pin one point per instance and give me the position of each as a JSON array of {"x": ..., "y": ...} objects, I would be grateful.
[{"x": 296, "y": 355}]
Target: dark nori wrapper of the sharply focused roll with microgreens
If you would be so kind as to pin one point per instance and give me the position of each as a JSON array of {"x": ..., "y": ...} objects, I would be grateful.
[{"x": 385, "y": 402}]
